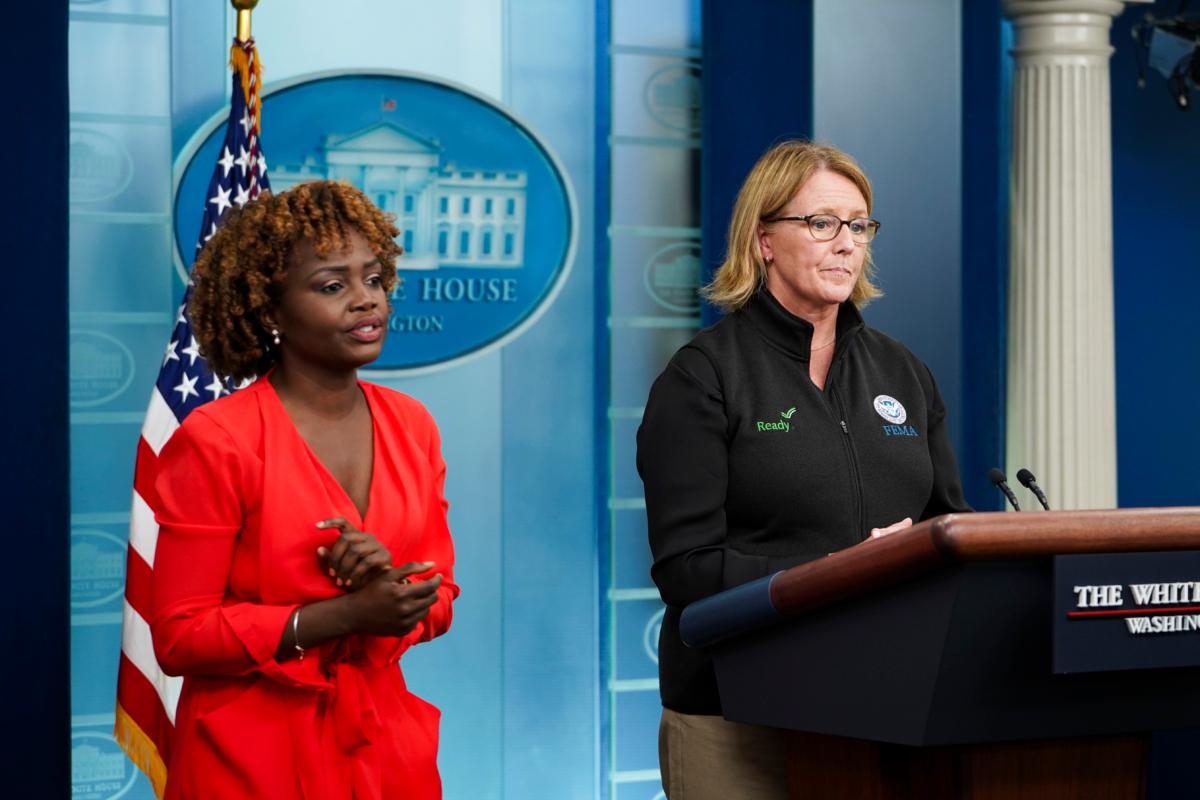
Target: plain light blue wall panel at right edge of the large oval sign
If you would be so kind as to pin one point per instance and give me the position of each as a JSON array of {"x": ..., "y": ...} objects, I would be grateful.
[{"x": 551, "y": 599}]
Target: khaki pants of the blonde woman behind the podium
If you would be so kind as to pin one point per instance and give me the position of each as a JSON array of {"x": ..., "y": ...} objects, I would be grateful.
[{"x": 711, "y": 759}]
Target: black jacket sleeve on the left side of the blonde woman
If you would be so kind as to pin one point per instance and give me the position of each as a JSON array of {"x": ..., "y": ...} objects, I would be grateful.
[{"x": 683, "y": 460}]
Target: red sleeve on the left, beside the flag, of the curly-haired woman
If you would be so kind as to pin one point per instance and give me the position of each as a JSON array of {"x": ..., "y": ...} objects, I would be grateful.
[{"x": 196, "y": 628}]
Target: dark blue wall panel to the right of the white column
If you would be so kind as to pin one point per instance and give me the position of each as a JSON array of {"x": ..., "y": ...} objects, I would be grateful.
[{"x": 1156, "y": 196}]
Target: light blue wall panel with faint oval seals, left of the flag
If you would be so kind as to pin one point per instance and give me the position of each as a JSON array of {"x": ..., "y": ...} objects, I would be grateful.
[{"x": 122, "y": 305}]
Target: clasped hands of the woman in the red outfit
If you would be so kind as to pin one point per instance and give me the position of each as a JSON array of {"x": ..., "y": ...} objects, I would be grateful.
[{"x": 387, "y": 601}]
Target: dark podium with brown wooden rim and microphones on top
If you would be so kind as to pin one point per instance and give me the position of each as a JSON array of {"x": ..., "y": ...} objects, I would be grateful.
[{"x": 920, "y": 665}]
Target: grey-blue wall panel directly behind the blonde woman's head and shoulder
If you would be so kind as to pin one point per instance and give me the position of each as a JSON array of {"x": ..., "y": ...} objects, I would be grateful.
[{"x": 890, "y": 95}]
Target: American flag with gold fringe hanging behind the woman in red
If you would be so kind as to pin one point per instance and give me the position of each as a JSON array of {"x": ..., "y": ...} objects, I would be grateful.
[{"x": 146, "y": 697}]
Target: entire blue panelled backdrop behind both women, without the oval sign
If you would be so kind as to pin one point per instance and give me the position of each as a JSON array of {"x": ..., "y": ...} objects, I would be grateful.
[{"x": 548, "y": 679}]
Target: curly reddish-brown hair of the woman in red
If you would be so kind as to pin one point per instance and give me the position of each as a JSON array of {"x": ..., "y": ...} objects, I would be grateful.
[{"x": 239, "y": 273}]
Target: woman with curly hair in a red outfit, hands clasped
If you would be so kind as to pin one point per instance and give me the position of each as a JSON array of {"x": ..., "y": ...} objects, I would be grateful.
[{"x": 286, "y": 617}]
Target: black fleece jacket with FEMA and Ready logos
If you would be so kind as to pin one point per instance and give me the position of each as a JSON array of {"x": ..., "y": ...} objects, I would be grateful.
[{"x": 749, "y": 468}]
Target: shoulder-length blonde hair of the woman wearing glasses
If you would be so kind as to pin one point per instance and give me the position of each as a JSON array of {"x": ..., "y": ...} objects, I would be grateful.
[{"x": 776, "y": 179}]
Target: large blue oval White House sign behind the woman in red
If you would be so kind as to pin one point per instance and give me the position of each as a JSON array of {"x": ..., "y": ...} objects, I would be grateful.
[{"x": 485, "y": 210}]
